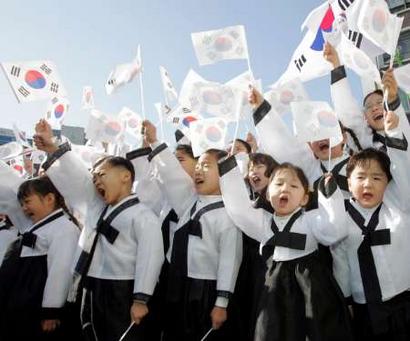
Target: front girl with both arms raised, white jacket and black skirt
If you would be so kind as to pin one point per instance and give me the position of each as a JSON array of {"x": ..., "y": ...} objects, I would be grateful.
[{"x": 300, "y": 299}]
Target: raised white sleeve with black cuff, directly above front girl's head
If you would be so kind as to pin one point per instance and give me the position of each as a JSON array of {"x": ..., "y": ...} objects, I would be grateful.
[{"x": 277, "y": 141}]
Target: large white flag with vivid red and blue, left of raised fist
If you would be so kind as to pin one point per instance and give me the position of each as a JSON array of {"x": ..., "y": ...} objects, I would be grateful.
[{"x": 307, "y": 60}]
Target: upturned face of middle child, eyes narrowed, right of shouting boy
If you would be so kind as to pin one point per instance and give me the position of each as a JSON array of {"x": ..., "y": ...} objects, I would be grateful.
[{"x": 206, "y": 175}]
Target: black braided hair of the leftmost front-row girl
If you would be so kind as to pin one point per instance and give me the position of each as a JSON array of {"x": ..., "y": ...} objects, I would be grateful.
[{"x": 42, "y": 186}]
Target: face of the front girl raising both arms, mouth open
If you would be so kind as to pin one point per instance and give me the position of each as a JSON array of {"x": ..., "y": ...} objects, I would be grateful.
[{"x": 286, "y": 192}]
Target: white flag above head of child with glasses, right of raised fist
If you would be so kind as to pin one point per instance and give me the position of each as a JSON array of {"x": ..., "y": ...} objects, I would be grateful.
[{"x": 357, "y": 60}]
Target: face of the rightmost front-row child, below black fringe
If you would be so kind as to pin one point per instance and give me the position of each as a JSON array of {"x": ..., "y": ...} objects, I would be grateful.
[{"x": 367, "y": 183}]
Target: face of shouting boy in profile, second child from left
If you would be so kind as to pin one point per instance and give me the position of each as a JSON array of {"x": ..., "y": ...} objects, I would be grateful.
[{"x": 113, "y": 183}]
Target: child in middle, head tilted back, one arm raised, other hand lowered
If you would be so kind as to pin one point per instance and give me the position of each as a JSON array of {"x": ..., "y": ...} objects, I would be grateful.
[{"x": 205, "y": 248}]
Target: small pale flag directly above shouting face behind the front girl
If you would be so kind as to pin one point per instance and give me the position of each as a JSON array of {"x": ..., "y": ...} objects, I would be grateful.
[{"x": 314, "y": 121}]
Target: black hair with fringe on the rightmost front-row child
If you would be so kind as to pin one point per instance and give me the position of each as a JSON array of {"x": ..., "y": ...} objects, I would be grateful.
[{"x": 364, "y": 157}]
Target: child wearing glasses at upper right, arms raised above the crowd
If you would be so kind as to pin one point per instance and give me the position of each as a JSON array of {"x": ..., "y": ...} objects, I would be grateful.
[{"x": 367, "y": 123}]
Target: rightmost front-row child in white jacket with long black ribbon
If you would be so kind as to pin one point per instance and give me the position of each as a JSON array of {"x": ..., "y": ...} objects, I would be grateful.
[{"x": 371, "y": 264}]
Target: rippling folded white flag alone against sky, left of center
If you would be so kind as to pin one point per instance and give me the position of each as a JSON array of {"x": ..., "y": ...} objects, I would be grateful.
[{"x": 123, "y": 73}]
